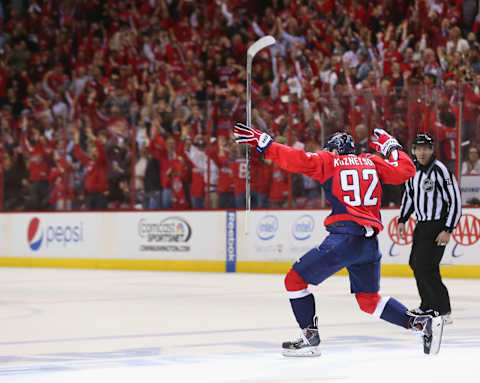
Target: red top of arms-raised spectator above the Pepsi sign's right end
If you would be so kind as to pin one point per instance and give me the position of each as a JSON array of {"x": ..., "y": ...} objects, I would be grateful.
[{"x": 97, "y": 169}]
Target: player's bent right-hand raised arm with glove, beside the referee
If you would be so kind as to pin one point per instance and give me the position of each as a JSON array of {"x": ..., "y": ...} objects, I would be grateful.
[{"x": 397, "y": 167}]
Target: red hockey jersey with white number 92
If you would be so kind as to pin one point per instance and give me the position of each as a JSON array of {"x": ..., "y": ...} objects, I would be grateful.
[{"x": 351, "y": 183}]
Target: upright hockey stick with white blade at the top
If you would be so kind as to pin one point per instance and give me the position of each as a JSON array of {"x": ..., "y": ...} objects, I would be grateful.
[{"x": 253, "y": 49}]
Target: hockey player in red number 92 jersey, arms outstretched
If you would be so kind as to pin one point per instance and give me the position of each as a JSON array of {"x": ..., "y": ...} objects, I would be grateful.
[{"x": 352, "y": 186}]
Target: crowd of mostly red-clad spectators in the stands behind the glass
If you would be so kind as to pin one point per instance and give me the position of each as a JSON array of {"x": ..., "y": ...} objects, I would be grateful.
[{"x": 130, "y": 103}]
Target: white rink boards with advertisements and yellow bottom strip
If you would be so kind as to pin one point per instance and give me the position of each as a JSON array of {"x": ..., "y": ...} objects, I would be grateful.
[{"x": 266, "y": 241}]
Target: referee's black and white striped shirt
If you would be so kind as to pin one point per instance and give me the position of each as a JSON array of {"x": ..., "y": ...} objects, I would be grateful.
[{"x": 433, "y": 194}]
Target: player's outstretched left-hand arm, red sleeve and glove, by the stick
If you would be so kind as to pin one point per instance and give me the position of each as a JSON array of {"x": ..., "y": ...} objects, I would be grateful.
[{"x": 287, "y": 157}]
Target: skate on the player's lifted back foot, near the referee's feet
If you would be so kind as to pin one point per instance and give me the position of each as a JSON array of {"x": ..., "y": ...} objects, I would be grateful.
[{"x": 430, "y": 327}]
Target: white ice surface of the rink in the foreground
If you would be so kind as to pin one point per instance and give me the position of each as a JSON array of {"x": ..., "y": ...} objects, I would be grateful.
[{"x": 69, "y": 326}]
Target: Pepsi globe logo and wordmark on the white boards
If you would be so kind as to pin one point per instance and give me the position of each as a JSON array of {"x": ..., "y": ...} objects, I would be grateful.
[{"x": 53, "y": 235}]
